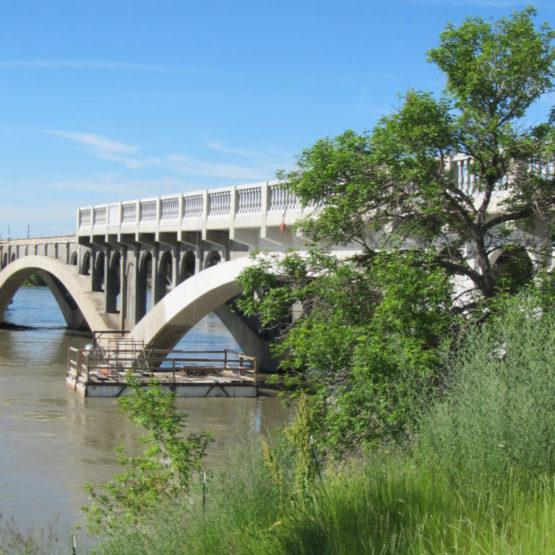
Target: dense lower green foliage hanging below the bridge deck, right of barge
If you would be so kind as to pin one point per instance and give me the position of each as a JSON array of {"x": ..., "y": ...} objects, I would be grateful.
[{"x": 368, "y": 345}]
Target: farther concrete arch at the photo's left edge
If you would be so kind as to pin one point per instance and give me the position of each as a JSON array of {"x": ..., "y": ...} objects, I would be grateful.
[{"x": 57, "y": 273}]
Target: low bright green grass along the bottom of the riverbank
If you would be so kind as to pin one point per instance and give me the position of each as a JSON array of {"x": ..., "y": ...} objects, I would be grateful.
[{"x": 388, "y": 506}]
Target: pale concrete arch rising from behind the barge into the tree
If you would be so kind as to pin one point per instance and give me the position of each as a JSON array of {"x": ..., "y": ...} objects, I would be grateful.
[{"x": 183, "y": 307}]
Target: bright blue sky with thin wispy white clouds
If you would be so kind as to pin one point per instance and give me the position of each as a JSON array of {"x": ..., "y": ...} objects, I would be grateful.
[{"x": 106, "y": 100}]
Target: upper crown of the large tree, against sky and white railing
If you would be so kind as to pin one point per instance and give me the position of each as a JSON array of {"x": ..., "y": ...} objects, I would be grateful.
[{"x": 394, "y": 188}]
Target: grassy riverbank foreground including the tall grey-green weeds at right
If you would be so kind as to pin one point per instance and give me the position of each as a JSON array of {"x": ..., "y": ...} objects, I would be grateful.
[{"x": 480, "y": 479}]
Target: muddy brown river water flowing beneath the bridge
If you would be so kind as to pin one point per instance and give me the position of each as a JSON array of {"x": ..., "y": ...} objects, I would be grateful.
[{"x": 53, "y": 440}]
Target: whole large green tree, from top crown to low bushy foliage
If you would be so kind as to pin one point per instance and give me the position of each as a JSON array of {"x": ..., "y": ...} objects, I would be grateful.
[{"x": 368, "y": 334}]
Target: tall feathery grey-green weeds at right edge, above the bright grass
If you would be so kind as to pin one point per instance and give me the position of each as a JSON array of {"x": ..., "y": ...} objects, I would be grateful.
[{"x": 499, "y": 412}]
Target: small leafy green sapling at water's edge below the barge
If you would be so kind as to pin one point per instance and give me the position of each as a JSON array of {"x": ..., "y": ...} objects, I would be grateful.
[{"x": 162, "y": 471}]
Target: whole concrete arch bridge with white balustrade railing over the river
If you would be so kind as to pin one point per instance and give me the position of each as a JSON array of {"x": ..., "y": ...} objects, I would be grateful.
[{"x": 156, "y": 266}]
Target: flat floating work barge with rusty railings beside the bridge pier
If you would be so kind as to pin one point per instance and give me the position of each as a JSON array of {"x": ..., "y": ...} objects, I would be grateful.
[{"x": 102, "y": 372}]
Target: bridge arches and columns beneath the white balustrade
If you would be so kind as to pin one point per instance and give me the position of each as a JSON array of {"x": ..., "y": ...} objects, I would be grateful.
[{"x": 157, "y": 285}]
